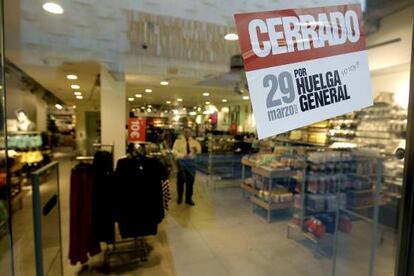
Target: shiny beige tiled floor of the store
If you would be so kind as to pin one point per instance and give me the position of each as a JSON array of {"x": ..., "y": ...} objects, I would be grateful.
[{"x": 222, "y": 236}]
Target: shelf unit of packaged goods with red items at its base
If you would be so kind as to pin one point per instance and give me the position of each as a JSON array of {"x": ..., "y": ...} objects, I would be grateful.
[{"x": 334, "y": 181}]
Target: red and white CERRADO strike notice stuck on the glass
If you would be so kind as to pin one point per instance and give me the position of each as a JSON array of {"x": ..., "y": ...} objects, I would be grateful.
[{"x": 304, "y": 65}]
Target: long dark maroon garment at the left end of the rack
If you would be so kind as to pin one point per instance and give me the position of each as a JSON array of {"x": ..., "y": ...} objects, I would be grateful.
[{"x": 81, "y": 240}]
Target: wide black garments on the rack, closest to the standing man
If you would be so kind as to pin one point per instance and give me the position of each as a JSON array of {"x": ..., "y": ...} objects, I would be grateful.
[{"x": 139, "y": 197}]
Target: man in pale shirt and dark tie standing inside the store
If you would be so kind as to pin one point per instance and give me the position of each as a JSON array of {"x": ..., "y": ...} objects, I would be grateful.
[{"x": 186, "y": 148}]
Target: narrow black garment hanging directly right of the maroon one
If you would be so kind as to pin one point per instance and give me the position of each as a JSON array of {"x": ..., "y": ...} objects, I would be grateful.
[{"x": 103, "y": 224}]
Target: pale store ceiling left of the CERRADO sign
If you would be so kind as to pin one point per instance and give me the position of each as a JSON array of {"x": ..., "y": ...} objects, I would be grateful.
[{"x": 184, "y": 40}]
